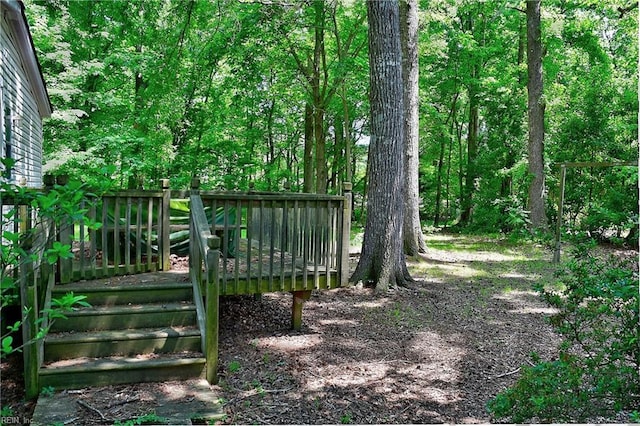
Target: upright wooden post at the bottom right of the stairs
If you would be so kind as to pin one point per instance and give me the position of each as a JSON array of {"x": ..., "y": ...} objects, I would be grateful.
[{"x": 212, "y": 308}]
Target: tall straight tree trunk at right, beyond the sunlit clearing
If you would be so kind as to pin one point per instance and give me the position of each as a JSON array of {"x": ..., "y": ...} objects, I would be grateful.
[{"x": 536, "y": 108}]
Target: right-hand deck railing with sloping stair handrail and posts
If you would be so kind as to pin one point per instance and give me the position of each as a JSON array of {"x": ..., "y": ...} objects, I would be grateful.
[{"x": 244, "y": 243}]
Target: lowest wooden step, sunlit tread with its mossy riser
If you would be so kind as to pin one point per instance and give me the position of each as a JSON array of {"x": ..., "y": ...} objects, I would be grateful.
[{"x": 79, "y": 373}]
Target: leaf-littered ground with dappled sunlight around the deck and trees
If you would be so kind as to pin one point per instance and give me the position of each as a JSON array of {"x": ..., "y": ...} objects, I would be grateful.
[{"x": 434, "y": 352}]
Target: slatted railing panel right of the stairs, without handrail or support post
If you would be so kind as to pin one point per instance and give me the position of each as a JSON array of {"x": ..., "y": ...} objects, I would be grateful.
[{"x": 273, "y": 242}]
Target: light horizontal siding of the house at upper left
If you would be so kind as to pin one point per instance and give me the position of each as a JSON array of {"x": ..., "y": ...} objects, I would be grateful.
[{"x": 19, "y": 115}]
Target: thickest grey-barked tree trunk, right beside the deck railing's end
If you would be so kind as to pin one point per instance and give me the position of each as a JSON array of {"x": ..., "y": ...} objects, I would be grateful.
[{"x": 382, "y": 260}]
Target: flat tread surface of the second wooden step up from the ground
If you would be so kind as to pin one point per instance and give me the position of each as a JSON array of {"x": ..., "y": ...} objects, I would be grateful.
[{"x": 130, "y": 334}]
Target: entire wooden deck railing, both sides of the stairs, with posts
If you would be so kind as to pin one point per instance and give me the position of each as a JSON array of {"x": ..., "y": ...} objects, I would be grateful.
[{"x": 244, "y": 242}]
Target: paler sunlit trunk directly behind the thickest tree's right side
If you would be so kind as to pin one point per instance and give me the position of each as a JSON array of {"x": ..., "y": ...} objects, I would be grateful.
[{"x": 413, "y": 238}]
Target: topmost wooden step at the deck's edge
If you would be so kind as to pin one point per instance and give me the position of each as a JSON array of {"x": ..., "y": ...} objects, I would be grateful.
[{"x": 123, "y": 294}]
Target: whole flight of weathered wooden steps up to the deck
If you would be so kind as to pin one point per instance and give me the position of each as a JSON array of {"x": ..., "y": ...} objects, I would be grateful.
[{"x": 133, "y": 332}]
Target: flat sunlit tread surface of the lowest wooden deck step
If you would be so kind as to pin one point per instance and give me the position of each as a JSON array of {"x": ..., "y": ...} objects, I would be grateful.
[{"x": 85, "y": 365}]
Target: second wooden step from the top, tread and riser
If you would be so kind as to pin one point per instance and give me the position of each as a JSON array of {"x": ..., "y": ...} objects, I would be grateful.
[{"x": 123, "y": 317}]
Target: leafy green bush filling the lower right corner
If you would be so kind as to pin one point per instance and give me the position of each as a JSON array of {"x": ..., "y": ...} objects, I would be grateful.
[{"x": 597, "y": 371}]
